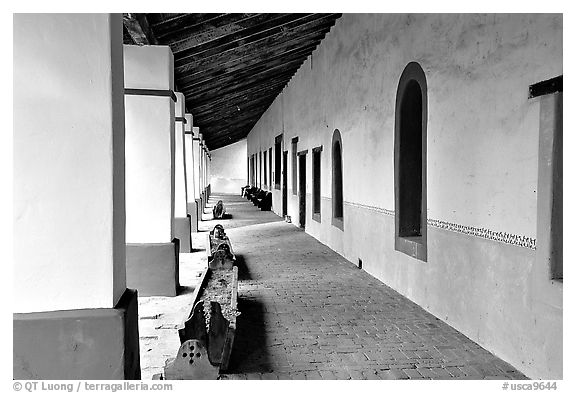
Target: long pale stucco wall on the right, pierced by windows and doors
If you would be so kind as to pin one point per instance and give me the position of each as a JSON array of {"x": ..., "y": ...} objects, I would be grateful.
[{"x": 482, "y": 147}]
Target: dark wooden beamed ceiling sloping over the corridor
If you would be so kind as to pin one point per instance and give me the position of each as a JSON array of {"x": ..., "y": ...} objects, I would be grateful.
[{"x": 230, "y": 67}]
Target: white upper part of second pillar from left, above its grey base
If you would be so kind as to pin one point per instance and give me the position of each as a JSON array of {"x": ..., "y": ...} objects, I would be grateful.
[{"x": 150, "y": 145}]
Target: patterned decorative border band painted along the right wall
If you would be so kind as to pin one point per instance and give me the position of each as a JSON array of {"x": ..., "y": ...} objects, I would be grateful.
[{"x": 503, "y": 237}]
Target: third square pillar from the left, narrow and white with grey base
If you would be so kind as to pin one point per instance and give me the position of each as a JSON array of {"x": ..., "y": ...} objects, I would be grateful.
[{"x": 182, "y": 225}]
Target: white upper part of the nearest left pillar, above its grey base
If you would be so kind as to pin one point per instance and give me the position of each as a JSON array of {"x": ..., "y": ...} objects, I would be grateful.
[{"x": 69, "y": 250}]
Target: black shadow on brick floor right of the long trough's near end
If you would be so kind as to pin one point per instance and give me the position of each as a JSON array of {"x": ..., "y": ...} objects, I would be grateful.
[{"x": 249, "y": 353}]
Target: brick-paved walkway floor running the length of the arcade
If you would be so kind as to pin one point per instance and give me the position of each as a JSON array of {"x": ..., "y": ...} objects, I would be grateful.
[{"x": 307, "y": 313}]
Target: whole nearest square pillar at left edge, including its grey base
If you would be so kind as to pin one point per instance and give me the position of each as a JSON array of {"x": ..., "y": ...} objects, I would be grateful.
[{"x": 73, "y": 316}]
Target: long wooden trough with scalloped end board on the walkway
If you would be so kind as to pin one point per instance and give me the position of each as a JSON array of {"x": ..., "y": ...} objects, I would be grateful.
[{"x": 207, "y": 334}]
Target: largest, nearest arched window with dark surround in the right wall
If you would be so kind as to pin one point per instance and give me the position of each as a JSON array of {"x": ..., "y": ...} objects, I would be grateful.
[{"x": 410, "y": 162}]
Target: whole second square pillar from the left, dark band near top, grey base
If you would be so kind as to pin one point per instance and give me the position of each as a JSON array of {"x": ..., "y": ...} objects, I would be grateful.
[{"x": 151, "y": 246}]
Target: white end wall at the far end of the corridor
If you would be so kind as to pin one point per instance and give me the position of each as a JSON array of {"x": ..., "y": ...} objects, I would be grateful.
[{"x": 228, "y": 168}]
